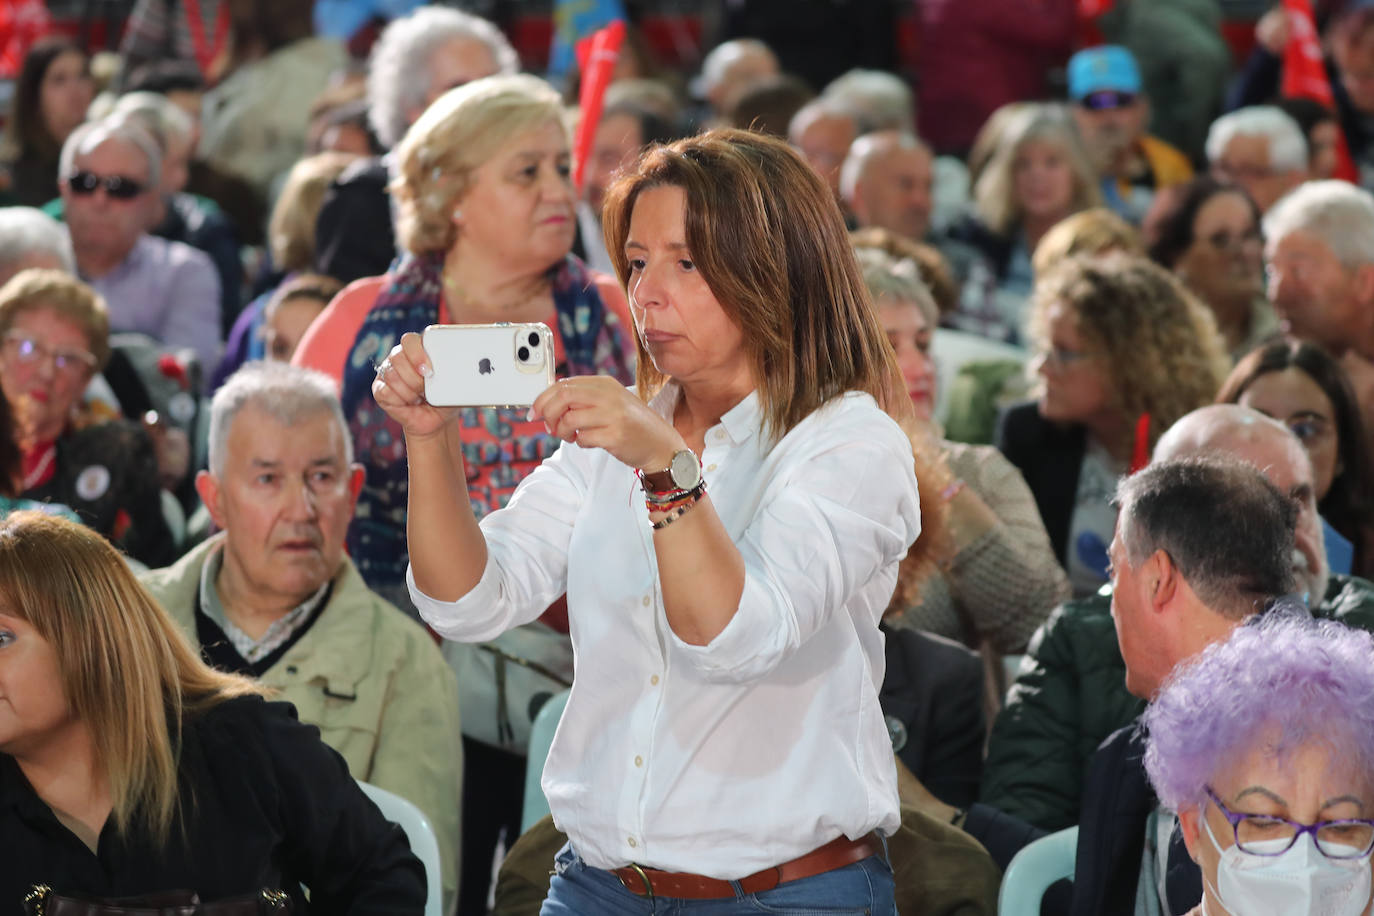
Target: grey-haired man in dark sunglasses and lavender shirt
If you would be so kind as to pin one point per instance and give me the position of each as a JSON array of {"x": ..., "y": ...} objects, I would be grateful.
[{"x": 168, "y": 290}]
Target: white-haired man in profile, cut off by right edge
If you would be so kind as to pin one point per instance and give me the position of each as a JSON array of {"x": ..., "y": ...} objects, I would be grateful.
[{"x": 1320, "y": 248}]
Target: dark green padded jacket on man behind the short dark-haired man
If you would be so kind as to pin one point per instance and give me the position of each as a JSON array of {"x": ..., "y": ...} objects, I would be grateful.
[{"x": 1071, "y": 694}]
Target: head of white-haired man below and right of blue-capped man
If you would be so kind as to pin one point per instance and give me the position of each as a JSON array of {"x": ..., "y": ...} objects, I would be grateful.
[{"x": 1261, "y": 149}]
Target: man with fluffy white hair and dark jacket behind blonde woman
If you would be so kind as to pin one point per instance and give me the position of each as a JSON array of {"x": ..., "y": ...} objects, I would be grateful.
[{"x": 417, "y": 60}]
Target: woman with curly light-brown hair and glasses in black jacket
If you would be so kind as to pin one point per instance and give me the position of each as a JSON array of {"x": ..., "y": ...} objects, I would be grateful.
[{"x": 1123, "y": 351}]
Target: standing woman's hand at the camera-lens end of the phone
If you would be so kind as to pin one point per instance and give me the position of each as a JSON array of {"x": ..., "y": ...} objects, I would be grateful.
[{"x": 598, "y": 413}]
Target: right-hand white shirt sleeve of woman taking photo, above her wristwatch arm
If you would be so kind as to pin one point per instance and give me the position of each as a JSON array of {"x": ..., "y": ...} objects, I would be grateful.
[{"x": 826, "y": 540}]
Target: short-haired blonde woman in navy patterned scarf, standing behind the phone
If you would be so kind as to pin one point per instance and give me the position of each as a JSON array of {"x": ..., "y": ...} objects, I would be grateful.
[{"x": 486, "y": 212}]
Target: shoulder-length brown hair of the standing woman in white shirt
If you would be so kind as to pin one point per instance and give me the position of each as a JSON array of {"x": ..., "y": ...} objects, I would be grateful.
[{"x": 767, "y": 237}]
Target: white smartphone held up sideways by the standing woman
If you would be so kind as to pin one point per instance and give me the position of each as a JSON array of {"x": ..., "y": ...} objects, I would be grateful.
[{"x": 488, "y": 365}]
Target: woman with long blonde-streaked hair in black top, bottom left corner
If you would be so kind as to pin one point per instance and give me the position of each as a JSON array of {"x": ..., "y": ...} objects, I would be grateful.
[{"x": 128, "y": 768}]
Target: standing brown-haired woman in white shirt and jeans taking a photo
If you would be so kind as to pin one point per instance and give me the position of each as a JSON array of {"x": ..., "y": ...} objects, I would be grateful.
[{"x": 723, "y": 738}]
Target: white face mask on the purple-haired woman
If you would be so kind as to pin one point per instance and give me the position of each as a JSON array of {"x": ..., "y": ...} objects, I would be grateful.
[{"x": 1298, "y": 882}]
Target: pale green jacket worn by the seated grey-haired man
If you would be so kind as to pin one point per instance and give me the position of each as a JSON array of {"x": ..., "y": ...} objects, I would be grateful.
[{"x": 402, "y": 733}]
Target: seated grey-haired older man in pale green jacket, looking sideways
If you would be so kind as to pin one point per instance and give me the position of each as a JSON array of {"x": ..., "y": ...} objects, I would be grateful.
[{"x": 274, "y": 597}]
